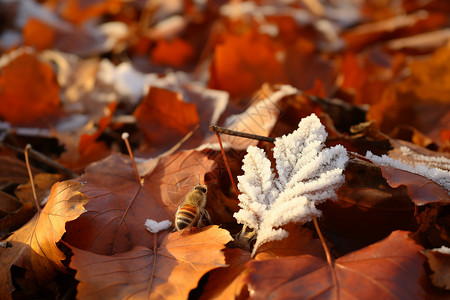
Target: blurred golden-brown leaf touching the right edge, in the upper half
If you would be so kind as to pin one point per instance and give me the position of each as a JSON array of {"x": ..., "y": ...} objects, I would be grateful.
[{"x": 420, "y": 100}]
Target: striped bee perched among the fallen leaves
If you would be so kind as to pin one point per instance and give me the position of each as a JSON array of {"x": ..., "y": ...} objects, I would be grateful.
[{"x": 192, "y": 210}]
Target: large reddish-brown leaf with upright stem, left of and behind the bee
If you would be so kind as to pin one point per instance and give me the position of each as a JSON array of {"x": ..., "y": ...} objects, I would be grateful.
[{"x": 120, "y": 205}]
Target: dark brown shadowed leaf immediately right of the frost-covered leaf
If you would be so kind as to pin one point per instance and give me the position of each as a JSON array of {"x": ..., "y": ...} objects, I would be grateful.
[{"x": 366, "y": 209}]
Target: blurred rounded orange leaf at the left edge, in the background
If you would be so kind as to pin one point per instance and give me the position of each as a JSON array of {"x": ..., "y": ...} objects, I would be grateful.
[{"x": 29, "y": 92}]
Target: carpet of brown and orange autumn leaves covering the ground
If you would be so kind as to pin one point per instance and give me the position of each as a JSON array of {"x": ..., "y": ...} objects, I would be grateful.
[{"x": 76, "y": 75}]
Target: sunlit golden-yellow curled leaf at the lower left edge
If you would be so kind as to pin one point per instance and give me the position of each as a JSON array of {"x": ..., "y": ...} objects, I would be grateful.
[{"x": 34, "y": 245}]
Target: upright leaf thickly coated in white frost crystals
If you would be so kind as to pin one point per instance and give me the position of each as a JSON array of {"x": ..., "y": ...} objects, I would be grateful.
[{"x": 308, "y": 174}]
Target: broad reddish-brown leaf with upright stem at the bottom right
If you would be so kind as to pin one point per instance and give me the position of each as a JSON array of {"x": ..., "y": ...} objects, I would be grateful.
[{"x": 390, "y": 269}]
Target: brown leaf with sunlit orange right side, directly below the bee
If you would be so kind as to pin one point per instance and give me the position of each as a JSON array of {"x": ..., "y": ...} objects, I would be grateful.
[{"x": 169, "y": 271}]
